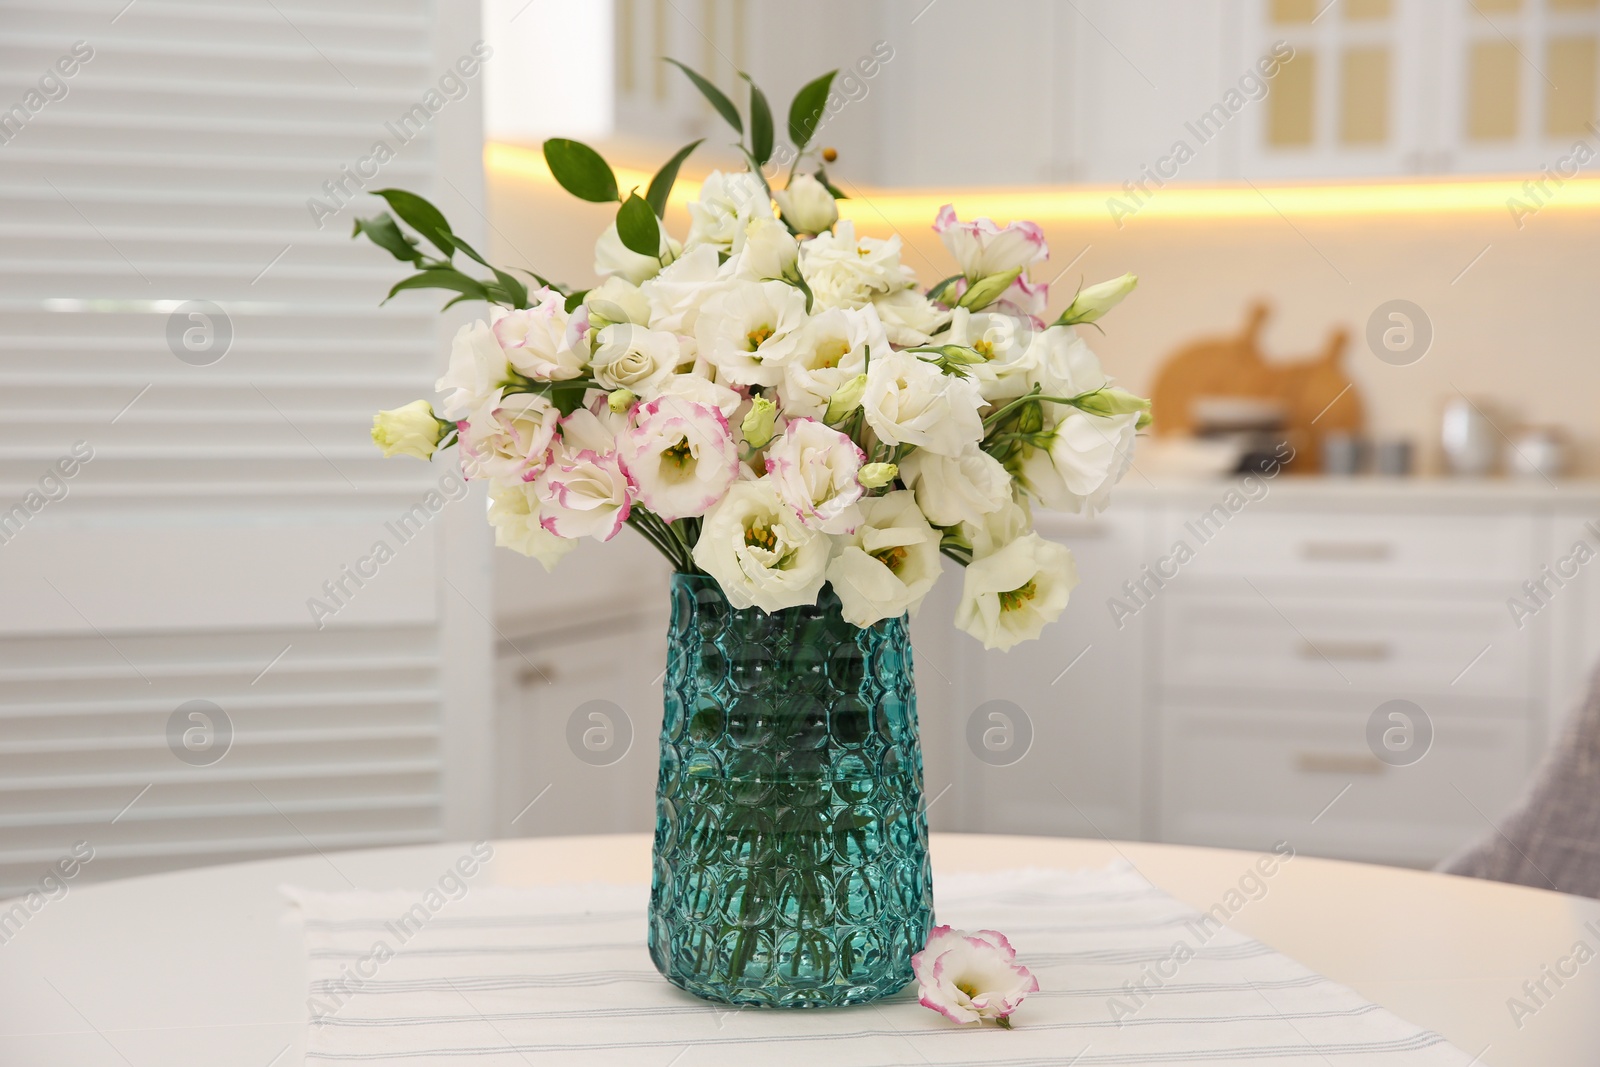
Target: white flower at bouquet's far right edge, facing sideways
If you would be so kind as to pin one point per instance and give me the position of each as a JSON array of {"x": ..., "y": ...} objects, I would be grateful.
[{"x": 1087, "y": 457}]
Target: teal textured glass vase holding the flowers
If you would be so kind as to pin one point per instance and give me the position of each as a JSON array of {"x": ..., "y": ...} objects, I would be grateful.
[{"x": 791, "y": 857}]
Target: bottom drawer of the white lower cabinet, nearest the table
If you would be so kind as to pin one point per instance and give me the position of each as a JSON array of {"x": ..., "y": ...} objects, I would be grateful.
[{"x": 1252, "y": 778}]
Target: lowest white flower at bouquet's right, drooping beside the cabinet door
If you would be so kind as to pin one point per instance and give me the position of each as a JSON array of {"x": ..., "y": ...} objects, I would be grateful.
[{"x": 1012, "y": 594}]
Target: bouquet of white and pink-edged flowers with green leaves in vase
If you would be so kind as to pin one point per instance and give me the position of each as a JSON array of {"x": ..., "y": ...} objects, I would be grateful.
[{"x": 774, "y": 401}]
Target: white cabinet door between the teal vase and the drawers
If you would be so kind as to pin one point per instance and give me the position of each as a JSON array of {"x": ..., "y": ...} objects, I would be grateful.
[{"x": 1052, "y": 732}]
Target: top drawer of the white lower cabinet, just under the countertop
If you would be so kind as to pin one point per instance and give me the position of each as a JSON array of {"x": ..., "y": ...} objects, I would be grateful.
[{"x": 1342, "y": 546}]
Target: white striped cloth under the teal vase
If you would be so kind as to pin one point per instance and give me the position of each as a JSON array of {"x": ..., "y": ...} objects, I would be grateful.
[{"x": 561, "y": 977}]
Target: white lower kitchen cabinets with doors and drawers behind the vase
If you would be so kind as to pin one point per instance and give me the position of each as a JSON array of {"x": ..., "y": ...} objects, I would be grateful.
[{"x": 1236, "y": 693}]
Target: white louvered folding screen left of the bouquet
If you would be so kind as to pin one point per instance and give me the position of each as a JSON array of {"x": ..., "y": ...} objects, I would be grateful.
[{"x": 226, "y": 492}]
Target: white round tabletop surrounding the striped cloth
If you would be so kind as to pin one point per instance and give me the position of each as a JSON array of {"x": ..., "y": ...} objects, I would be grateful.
[{"x": 207, "y": 967}]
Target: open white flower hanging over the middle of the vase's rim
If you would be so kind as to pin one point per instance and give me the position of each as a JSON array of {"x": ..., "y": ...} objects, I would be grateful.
[{"x": 759, "y": 551}]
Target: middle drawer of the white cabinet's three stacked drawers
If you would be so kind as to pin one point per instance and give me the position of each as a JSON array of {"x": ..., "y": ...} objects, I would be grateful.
[{"x": 1337, "y": 645}]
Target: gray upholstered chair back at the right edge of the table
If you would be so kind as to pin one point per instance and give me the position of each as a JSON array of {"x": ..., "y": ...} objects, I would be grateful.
[{"x": 1553, "y": 839}]
